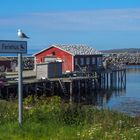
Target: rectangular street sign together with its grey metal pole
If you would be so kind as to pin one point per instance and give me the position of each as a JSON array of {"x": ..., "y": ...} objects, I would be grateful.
[{"x": 19, "y": 47}]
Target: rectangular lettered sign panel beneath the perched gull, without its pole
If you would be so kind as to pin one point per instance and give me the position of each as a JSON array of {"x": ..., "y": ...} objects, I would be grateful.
[{"x": 9, "y": 46}]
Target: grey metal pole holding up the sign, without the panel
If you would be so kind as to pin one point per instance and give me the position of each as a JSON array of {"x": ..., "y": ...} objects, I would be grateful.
[{"x": 20, "y": 90}]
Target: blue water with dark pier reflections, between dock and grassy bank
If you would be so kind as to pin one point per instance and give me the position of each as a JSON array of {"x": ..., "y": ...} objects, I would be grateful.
[{"x": 121, "y": 97}]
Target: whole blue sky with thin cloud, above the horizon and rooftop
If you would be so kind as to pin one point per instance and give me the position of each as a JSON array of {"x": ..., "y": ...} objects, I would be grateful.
[{"x": 102, "y": 24}]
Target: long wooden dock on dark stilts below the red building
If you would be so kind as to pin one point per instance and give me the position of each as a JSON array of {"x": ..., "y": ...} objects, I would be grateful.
[{"x": 66, "y": 87}]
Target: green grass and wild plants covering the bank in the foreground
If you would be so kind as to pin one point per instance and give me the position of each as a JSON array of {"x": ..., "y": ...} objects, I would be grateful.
[{"x": 50, "y": 118}]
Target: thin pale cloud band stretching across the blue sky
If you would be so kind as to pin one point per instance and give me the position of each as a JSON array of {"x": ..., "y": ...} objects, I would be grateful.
[{"x": 96, "y": 20}]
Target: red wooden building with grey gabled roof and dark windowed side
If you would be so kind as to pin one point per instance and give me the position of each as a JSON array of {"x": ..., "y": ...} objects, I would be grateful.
[{"x": 74, "y": 57}]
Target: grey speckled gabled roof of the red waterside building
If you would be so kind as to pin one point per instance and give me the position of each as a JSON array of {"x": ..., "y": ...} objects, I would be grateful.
[{"x": 74, "y": 49}]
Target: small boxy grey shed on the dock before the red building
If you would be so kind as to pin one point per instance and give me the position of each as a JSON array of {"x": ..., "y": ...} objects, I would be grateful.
[{"x": 49, "y": 70}]
